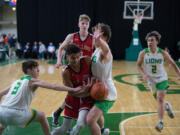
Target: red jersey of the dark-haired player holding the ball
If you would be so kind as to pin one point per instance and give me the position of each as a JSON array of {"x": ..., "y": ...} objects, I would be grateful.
[{"x": 78, "y": 78}]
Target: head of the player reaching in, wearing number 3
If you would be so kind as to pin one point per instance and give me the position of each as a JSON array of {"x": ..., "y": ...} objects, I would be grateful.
[{"x": 31, "y": 68}]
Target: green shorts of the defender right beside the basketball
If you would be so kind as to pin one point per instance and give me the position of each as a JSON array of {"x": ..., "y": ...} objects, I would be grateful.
[{"x": 104, "y": 105}]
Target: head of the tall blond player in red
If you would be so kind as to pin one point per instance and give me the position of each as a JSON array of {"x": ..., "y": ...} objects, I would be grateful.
[{"x": 84, "y": 21}]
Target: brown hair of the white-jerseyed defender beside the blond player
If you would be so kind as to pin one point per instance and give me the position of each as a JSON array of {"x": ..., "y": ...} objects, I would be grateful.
[{"x": 106, "y": 31}]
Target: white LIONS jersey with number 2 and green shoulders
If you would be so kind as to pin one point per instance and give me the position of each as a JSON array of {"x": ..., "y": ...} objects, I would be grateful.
[{"x": 154, "y": 65}]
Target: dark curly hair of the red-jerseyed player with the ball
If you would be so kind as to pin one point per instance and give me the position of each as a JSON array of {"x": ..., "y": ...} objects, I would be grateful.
[{"x": 70, "y": 49}]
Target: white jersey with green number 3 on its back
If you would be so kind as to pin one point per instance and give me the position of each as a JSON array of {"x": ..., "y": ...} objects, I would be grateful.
[{"x": 19, "y": 95}]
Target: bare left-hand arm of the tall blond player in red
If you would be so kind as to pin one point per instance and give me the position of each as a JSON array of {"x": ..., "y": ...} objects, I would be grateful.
[{"x": 67, "y": 41}]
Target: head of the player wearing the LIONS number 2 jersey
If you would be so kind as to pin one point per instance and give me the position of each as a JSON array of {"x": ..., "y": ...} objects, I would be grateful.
[{"x": 153, "y": 38}]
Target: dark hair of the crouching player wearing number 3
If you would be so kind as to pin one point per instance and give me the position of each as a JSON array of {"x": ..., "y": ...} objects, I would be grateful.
[{"x": 30, "y": 64}]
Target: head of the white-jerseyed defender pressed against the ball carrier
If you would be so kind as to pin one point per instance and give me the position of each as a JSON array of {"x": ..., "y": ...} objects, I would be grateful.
[{"x": 105, "y": 29}]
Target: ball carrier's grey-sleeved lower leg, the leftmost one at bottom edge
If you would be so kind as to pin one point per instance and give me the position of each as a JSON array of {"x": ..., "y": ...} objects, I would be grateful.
[{"x": 63, "y": 128}]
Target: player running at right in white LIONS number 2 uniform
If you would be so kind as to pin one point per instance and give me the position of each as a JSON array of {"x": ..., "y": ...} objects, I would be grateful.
[{"x": 155, "y": 74}]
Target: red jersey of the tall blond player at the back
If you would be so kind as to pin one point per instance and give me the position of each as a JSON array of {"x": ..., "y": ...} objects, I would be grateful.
[{"x": 86, "y": 46}]
